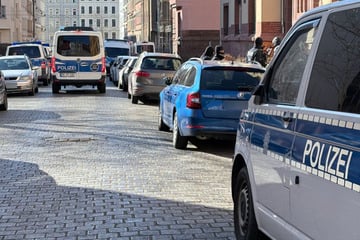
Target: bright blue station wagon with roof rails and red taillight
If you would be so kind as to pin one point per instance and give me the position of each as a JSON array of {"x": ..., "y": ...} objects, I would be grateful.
[{"x": 205, "y": 98}]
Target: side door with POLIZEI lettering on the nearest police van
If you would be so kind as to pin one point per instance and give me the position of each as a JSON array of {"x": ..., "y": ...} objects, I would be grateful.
[{"x": 325, "y": 173}]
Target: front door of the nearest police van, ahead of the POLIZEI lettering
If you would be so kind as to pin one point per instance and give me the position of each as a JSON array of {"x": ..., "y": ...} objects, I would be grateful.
[{"x": 274, "y": 121}]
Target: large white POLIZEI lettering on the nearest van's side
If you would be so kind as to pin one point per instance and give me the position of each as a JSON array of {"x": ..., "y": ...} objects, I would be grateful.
[{"x": 327, "y": 158}]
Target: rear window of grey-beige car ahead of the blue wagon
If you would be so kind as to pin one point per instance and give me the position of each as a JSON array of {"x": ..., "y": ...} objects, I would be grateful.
[{"x": 161, "y": 63}]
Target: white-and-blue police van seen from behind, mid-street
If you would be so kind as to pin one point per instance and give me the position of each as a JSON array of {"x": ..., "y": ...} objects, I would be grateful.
[{"x": 78, "y": 59}]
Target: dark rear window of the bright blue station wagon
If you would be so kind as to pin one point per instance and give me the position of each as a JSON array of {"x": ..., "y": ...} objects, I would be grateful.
[{"x": 230, "y": 79}]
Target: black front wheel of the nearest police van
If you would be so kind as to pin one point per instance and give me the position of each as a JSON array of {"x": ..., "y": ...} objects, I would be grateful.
[{"x": 244, "y": 216}]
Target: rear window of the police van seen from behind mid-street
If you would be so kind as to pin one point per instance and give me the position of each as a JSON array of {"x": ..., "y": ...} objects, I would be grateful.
[{"x": 85, "y": 46}]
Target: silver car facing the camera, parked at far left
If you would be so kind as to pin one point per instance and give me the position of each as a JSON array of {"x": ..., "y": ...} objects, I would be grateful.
[{"x": 20, "y": 75}]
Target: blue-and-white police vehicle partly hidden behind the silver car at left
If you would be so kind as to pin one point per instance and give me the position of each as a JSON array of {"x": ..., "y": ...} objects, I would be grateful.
[{"x": 38, "y": 56}]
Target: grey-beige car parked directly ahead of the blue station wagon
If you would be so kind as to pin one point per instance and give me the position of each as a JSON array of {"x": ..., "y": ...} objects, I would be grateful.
[{"x": 146, "y": 80}]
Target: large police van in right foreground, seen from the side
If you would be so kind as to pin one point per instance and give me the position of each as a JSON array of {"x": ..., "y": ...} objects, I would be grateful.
[{"x": 296, "y": 166}]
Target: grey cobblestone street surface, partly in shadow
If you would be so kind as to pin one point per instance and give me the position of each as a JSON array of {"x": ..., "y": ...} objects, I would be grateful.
[{"x": 84, "y": 165}]
